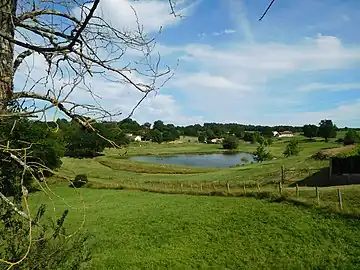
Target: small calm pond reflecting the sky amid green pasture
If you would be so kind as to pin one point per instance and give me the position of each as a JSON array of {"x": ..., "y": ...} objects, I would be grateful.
[{"x": 200, "y": 160}]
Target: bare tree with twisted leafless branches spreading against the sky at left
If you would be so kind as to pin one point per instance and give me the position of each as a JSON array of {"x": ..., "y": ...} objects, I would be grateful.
[{"x": 77, "y": 45}]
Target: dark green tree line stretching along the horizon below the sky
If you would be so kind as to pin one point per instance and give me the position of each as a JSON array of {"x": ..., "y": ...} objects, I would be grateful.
[{"x": 53, "y": 140}]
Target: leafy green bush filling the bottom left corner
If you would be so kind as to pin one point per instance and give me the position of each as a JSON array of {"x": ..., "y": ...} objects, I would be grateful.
[{"x": 50, "y": 248}]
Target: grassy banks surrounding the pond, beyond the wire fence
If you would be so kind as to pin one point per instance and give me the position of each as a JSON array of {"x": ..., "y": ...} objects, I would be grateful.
[{"x": 113, "y": 168}]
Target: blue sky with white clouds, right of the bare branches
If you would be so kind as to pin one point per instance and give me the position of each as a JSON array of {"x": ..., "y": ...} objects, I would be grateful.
[{"x": 297, "y": 66}]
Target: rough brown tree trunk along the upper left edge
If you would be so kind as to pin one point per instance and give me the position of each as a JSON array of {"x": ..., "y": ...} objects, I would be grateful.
[{"x": 7, "y": 13}]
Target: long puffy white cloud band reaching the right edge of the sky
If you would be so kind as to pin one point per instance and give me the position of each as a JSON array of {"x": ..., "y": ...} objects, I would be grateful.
[{"x": 274, "y": 59}]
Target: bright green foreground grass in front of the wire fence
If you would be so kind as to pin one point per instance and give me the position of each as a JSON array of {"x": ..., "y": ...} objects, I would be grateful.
[{"x": 137, "y": 230}]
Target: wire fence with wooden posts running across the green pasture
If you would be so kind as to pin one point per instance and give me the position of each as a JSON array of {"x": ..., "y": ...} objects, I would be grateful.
[{"x": 340, "y": 199}]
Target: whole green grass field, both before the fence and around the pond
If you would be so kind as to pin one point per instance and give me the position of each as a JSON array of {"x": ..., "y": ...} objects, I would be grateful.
[{"x": 132, "y": 229}]
